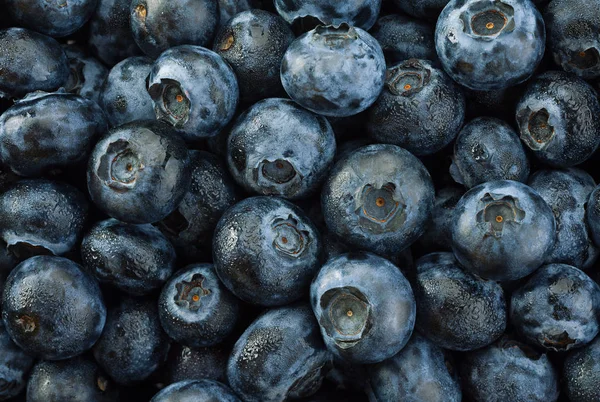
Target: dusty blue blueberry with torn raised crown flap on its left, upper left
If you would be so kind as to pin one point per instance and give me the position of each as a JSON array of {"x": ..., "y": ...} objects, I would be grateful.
[{"x": 194, "y": 90}]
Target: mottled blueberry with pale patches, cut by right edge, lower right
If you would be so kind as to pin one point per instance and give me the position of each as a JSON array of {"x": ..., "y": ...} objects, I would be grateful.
[{"x": 558, "y": 308}]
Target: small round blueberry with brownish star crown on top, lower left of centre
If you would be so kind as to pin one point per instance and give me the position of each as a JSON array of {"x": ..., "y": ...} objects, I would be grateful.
[{"x": 196, "y": 309}]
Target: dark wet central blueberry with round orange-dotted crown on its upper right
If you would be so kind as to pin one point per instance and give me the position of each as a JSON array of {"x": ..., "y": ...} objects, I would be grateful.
[{"x": 275, "y": 255}]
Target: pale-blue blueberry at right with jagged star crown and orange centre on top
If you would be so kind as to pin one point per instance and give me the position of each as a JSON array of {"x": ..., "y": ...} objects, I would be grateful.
[{"x": 503, "y": 230}]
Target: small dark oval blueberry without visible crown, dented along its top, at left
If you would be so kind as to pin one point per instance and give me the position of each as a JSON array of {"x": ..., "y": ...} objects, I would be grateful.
[{"x": 136, "y": 259}]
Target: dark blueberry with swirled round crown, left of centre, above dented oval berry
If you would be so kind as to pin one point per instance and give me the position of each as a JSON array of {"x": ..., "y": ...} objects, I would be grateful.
[{"x": 139, "y": 172}]
